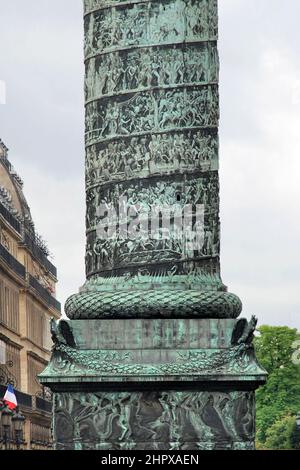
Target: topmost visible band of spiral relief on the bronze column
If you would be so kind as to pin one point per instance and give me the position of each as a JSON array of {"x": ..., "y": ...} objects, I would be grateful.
[{"x": 147, "y": 23}]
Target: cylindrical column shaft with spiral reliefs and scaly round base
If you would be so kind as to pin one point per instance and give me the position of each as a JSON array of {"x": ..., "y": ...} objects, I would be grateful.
[{"x": 152, "y": 113}]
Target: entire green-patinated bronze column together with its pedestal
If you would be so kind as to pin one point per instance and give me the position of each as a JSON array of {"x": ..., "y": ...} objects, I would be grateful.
[{"x": 154, "y": 356}]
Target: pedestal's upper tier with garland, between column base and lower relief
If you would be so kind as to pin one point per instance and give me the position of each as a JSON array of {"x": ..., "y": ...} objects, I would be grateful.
[{"x": 153, "y": 348}]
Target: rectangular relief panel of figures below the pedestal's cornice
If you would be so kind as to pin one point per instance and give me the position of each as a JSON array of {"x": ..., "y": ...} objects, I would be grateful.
[{"x": 186, "y": 420}]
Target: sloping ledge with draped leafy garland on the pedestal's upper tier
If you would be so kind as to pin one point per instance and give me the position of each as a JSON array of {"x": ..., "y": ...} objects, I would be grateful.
[{"x": 235, "y": 360}]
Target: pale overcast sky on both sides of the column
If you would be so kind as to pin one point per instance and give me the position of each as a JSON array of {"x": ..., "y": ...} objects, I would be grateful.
[{"x": 42, "y": 122}]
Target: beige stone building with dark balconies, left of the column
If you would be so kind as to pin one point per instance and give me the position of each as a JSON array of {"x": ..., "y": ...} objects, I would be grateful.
[{"x": 27, "y": 302}]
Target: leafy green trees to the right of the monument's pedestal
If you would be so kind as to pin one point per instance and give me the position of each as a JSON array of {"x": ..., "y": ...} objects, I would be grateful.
[{"x": 280, "y": 397}]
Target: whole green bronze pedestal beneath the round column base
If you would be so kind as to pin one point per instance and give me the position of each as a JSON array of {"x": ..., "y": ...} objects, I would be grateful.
[{"x": 162, "y": 384}]
